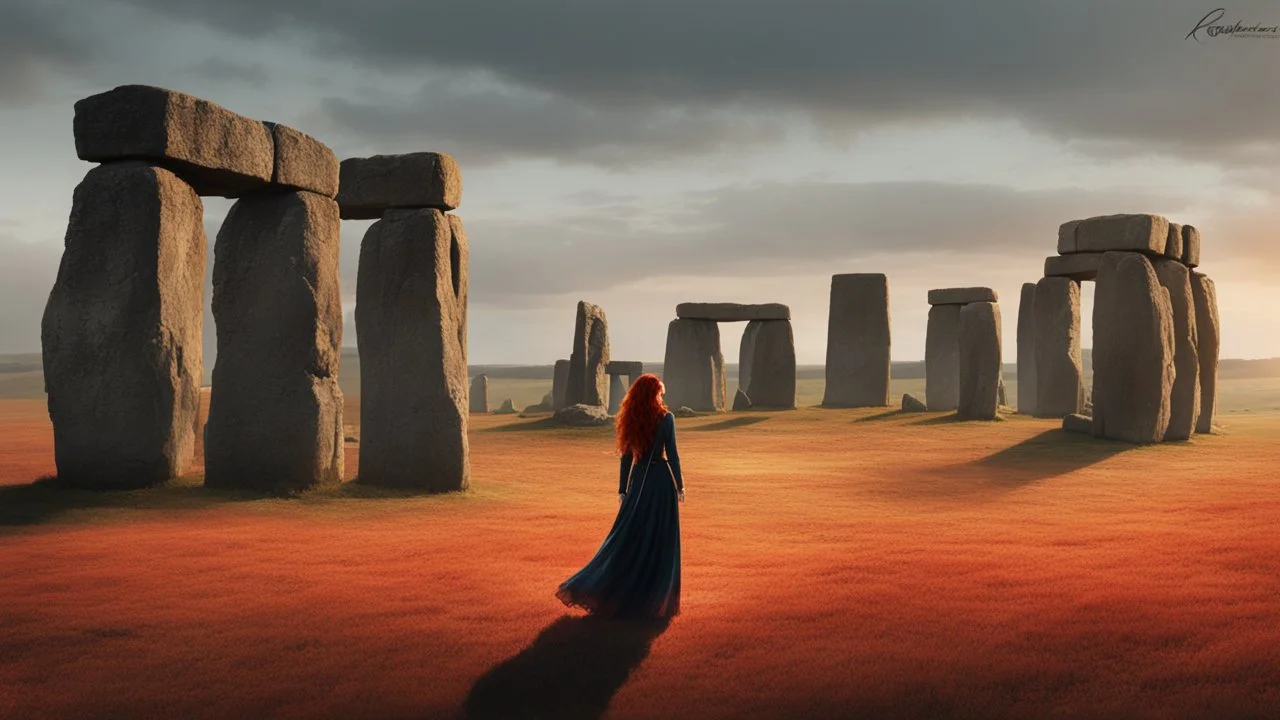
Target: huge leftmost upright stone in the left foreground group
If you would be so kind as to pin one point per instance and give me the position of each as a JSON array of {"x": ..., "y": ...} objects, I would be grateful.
[{"x": 122, "y": 330}]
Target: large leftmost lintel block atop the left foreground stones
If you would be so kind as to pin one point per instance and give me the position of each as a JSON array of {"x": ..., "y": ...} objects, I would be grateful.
[{"x": 211, "y": 148}]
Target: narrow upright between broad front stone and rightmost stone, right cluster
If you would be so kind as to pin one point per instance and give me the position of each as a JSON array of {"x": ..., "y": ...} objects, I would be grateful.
[{"x": 1186, "y": 394}]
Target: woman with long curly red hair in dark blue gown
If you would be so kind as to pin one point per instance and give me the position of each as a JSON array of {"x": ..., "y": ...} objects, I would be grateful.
[{"x": 637, "y": 571}]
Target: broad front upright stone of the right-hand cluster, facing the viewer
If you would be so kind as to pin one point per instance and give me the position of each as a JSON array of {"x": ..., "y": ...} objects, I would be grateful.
[{"x": 1133, "y": 352}]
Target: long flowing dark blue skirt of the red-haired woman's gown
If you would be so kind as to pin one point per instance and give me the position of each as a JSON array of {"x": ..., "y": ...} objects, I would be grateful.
[{"x": 637, "y": 571}]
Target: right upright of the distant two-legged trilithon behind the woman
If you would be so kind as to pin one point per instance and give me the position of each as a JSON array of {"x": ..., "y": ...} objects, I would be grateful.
[{"x": 767, "y": 364}]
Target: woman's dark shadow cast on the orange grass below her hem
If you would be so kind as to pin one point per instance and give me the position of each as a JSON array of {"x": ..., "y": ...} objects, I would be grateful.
[{"x": 572, "y": 671}]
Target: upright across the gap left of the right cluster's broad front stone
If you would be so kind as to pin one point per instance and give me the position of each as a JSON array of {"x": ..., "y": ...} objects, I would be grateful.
[{"x": 1059, "y": 363}]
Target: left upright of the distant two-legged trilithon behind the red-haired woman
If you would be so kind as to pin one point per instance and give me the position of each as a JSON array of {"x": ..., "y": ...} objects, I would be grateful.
[{"x": 693, "y": 366}]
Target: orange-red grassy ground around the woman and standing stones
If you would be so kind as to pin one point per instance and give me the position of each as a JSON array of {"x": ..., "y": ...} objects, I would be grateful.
[{"x": 849, "y": 564}]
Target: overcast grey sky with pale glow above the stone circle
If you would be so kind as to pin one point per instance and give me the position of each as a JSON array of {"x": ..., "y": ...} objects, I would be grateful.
[{"x": 642, "y": 154}]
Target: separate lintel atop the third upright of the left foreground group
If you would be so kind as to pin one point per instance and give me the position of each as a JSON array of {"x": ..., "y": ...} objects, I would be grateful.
[{"x": 369, "y": 186}]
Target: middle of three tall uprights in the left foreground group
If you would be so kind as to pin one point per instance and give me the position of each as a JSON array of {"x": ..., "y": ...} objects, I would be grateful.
[{"x": 276, "y": 408}]
